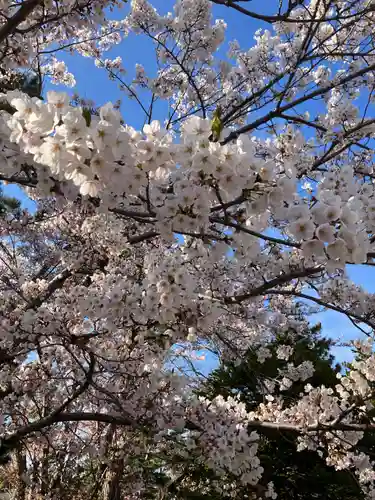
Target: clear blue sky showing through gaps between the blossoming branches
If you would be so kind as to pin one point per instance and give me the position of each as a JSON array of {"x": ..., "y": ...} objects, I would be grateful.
[{"x": 93, "y": 83}]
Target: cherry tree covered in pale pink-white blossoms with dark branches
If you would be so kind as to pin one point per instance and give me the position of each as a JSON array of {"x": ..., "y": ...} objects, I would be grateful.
[{"x": 220, "y": 225}]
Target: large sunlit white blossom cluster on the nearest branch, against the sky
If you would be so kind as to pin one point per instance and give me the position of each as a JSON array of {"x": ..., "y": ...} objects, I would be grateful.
[{"x": 106, "y": 159}]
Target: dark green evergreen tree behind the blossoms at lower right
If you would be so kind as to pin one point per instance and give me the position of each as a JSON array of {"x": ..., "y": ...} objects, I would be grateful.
[{"x": 296, "y": 474}]
